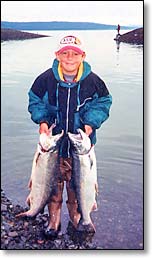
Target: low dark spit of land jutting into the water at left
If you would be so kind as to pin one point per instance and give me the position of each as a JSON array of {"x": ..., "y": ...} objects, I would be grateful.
[{"x": 10, "y": 34}]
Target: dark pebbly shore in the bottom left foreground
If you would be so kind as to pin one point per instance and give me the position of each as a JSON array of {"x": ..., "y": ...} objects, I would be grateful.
[{"x": 22, "y": 234}]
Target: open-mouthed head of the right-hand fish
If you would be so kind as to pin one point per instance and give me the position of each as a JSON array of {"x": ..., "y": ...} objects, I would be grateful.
[{"x": 80, "y": 141}]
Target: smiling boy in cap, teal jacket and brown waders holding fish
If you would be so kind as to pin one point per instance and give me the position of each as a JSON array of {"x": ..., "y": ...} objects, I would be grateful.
[{"x": 70, "y": 95}]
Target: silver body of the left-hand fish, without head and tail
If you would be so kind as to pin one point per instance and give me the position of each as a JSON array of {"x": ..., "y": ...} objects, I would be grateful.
[{"x": 43, "y": 181}]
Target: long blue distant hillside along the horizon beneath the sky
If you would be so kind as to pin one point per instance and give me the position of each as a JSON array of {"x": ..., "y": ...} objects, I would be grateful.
[{"x": 57, "y": 25}]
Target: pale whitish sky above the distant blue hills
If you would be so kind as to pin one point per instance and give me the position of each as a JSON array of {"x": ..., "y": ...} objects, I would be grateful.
[{"x": 106, "y": 12}]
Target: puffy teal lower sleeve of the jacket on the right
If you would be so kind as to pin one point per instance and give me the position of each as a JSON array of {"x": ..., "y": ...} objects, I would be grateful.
[{"x": 96, "y": 111}]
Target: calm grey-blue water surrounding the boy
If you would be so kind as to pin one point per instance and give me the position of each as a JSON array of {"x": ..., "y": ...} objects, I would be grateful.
[{"x": 119, "y": 149}]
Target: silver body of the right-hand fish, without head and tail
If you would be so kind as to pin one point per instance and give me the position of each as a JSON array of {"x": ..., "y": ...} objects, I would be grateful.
[{"x": 84, "y": 169}]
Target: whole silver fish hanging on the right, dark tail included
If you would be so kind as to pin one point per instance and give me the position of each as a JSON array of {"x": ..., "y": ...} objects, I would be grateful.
[{"x": 84, "y": 178}]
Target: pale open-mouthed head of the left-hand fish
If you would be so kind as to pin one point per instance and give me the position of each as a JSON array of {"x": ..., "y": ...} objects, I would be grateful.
[{"x": 49, "y": 142}]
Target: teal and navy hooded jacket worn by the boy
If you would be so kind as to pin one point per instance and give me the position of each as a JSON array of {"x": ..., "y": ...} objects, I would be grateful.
[{"x": 69, "y": 105}]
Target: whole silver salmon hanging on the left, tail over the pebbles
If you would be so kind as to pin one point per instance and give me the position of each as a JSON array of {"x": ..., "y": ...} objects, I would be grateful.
[{"x": 43, "y": 176}]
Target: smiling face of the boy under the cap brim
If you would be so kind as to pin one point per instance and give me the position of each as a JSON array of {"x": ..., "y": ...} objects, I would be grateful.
[{"x": 70, "y": 61}]
